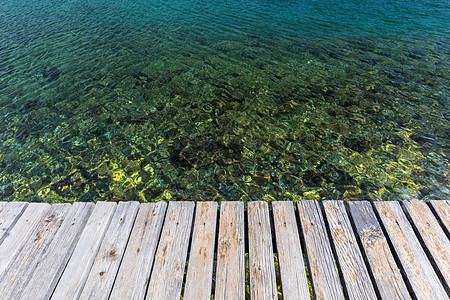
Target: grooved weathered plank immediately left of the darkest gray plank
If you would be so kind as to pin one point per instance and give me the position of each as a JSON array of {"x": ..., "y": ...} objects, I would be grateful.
[{"x": 354, "y": 270}]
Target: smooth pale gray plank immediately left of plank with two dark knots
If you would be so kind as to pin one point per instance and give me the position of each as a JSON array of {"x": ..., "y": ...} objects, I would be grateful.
[{"x": 77, "y": 270}]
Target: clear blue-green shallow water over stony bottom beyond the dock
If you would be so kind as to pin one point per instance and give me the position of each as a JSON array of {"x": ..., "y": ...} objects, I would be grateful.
[{"x": 207, "y": 100}]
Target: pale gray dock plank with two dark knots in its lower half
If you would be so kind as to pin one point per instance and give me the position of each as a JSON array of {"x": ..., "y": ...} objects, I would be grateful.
[{"x": 106, "y": 264}]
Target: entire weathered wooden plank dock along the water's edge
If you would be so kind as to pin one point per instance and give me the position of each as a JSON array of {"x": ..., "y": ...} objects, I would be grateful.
[{"x": 256, "y": 250}]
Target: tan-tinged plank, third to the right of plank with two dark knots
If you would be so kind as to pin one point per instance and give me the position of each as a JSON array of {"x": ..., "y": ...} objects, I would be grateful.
[{"x": 201, "y": 258}]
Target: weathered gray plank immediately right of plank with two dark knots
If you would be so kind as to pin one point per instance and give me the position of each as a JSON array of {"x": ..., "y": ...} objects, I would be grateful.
[{"x": 134, "y": 272}]
